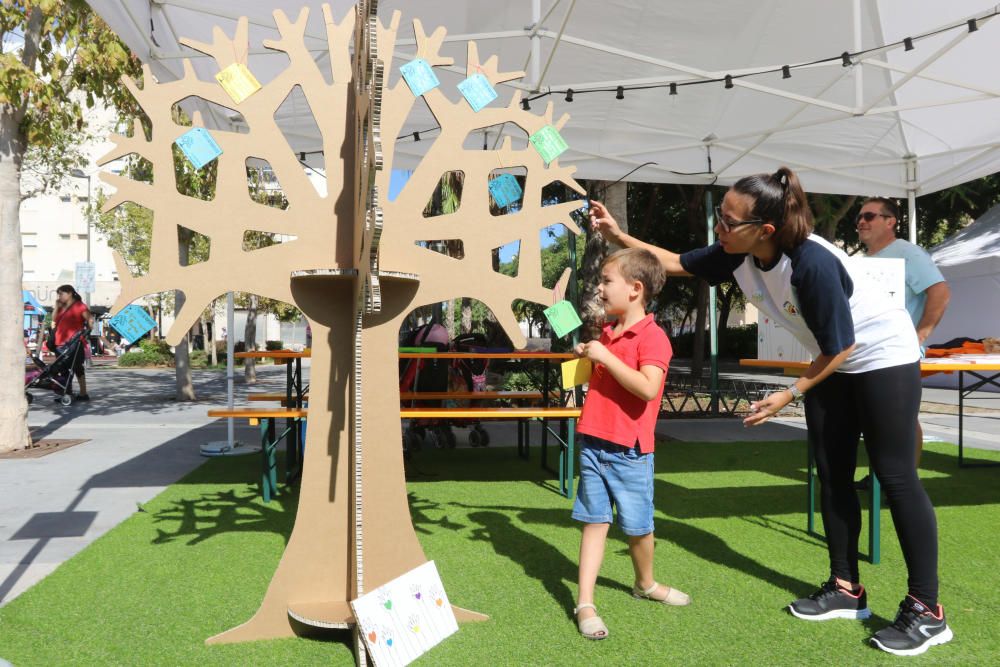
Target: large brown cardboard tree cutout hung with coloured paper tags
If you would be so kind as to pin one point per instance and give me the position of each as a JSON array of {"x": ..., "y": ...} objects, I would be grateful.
[{"x": 355, "y": 268}]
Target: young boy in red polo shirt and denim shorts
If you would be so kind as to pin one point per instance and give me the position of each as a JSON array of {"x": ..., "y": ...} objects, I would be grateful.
[{"x": 616, "y": 431}]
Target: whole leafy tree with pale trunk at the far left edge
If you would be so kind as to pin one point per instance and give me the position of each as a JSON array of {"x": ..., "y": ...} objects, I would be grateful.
[{"x": 56, "y": 58}]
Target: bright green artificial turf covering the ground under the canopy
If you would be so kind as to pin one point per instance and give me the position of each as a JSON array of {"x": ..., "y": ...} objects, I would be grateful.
[{"x": 730, "y": 531}]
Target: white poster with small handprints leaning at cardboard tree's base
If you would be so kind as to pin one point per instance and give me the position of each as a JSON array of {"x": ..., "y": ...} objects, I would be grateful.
[{"x": 405, "y": 618}]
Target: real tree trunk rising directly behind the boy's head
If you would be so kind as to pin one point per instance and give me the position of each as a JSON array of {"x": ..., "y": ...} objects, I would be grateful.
[{"x": 615, "y": 197}]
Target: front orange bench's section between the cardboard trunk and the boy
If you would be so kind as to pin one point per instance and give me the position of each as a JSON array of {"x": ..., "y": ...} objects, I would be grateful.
[{"x": 566, "y": 416}]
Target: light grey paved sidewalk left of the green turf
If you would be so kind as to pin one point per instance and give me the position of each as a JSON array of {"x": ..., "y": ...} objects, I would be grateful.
[{"x": 139, "y": 441}]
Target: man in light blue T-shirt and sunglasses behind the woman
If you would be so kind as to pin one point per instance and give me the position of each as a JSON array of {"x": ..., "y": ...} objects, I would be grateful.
[{"x": 927, "y": 293}]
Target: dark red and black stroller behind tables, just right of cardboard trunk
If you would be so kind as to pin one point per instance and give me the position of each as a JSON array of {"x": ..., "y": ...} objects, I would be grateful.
[{"x": 426, "y": 375}]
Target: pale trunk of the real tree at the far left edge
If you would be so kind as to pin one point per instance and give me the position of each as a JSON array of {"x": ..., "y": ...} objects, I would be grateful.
[{"x": 13, "y": 407}]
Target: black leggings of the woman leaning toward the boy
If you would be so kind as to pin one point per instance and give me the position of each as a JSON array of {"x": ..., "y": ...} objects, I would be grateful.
[{"x": 883, "y": 405}]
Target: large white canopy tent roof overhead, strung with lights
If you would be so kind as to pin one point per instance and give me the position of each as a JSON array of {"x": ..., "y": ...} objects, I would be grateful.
[{"x": 895, "y": 121}]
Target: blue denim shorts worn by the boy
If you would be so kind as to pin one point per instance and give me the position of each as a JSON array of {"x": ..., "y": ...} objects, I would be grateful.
[{"x": 618, "y": 478}]
